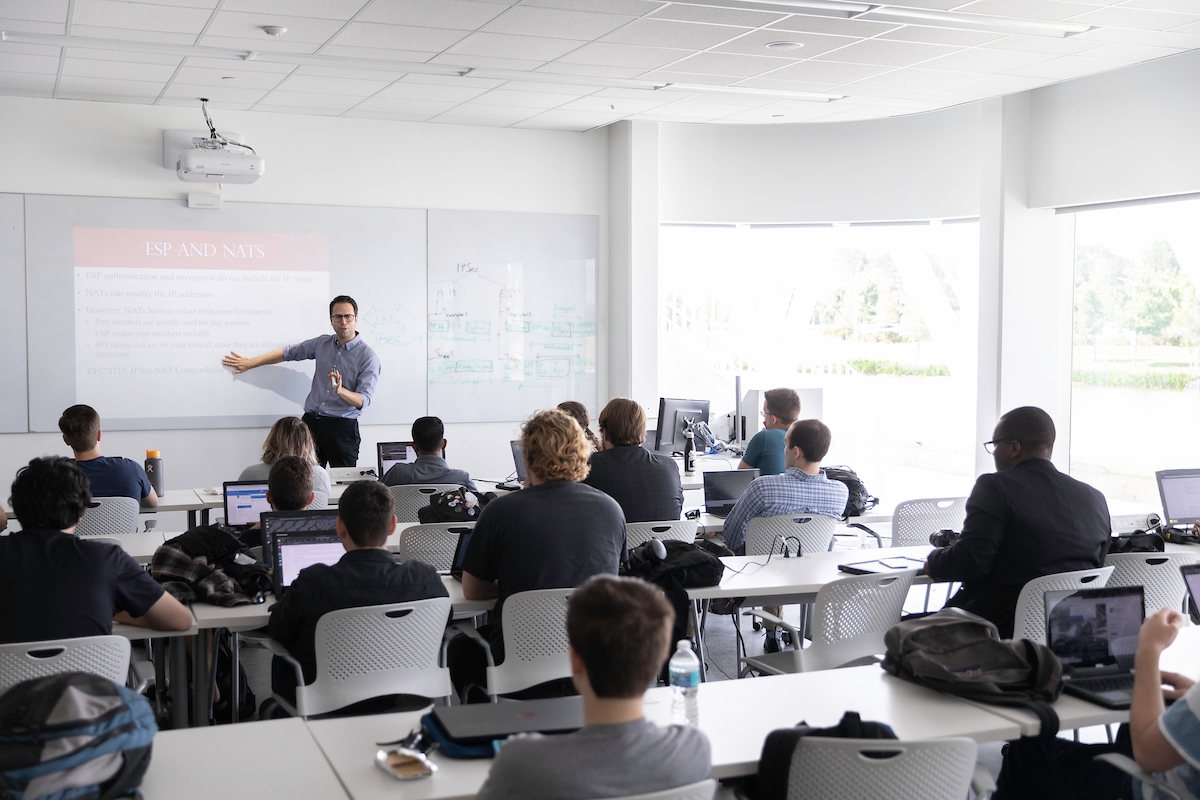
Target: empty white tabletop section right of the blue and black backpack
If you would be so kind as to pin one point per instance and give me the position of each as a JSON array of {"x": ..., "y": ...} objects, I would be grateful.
[{"x": 256, "y": 761}]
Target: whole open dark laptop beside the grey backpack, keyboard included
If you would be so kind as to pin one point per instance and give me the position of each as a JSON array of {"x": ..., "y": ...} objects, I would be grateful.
[{"x": 1095, "y": 635}]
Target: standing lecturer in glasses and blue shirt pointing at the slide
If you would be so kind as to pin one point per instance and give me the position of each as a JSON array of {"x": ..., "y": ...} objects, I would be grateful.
[{"x": 347, "y": 374}]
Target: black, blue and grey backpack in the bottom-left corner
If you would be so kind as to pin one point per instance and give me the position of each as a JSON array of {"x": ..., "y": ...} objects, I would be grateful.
[{"x": 74, "y": 736}]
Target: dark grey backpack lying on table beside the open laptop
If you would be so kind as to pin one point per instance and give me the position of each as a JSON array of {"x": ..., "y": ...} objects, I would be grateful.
[{"x": 962, "y": 654}]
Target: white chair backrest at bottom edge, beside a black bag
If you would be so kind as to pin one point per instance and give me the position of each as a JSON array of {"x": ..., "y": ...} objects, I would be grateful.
[{"x": 833, "y": 769}]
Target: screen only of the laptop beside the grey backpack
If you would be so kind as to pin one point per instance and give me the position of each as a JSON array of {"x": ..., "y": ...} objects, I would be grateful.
[{"x": 1093, "y": 628}]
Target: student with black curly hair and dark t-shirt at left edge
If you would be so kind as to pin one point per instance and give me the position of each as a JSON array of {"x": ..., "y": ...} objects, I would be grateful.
[{"x": 57, "y": 586}]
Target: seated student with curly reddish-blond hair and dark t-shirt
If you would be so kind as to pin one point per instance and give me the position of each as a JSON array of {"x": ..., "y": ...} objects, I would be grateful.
[{"x": 555, "y": 534}]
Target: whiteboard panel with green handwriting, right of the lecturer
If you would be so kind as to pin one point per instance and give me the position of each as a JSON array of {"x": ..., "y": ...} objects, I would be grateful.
[{"x": 512, "y": 314}]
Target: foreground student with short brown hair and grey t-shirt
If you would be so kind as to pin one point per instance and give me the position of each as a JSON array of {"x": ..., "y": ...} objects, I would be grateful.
[{"x": 620, "y": 630}]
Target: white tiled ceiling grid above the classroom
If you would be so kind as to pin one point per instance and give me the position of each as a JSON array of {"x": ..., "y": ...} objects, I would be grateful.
[{"x": 881, "y": 69}]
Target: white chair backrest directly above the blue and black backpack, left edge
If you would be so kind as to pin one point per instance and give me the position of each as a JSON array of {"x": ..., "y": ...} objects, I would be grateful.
[{"x": 107, "y": 657}]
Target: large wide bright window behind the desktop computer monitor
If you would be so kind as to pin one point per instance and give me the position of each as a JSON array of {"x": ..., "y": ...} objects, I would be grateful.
[{"x": 880, "y": 317}]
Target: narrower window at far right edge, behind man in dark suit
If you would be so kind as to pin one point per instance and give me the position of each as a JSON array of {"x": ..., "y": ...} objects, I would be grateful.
[{"x": 1136, "y": 390}]
